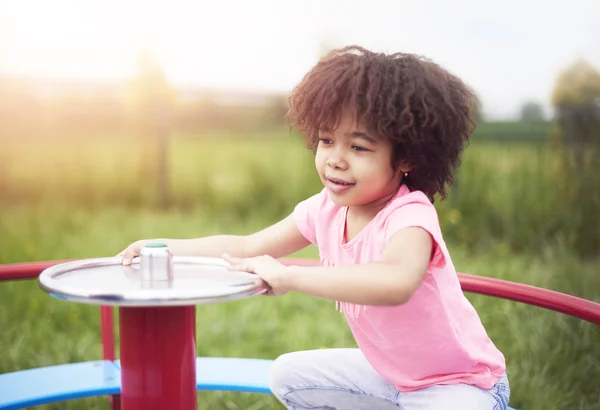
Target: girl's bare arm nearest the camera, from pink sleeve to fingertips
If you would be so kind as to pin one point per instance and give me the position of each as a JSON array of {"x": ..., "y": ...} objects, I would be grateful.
[{"x": 390, "y": 281}]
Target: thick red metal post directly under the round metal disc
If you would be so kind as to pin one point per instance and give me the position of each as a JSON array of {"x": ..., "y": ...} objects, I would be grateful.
[{"x": 158, "y": 358}]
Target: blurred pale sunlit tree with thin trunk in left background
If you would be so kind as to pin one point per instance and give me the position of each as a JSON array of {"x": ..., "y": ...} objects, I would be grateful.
[{"x": 152, "y": 101}]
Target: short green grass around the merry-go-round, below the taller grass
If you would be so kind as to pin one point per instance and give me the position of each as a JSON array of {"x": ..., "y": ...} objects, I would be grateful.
[{"x": 553, "y": 360}]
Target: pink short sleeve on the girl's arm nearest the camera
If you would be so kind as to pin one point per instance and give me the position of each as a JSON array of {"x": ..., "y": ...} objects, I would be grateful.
[{"x": 422, "y": 215}]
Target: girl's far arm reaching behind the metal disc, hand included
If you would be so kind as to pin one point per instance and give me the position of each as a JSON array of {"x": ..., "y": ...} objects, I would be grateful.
[{"x": 277, "y": 240}]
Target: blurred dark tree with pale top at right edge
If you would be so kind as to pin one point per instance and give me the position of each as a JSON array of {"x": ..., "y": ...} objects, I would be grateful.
[{"x": 576, "y": 99}]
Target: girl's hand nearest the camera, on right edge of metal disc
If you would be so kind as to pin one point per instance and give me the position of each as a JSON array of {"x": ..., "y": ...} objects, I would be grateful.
[{"x": 265, "y": 267}]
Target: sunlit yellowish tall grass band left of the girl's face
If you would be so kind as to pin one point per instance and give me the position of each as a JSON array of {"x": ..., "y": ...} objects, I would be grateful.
[{"x": 206, "y": 171}]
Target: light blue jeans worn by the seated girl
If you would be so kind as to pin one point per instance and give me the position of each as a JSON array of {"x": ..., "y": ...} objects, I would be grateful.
[{"x": 335, "y": 379}]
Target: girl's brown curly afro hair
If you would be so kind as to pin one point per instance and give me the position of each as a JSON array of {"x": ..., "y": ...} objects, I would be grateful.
[{"x": 422, "y": 109}]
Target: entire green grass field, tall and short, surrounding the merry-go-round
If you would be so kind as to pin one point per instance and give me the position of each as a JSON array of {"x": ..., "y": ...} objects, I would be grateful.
[{"x": 82, "y": 200}]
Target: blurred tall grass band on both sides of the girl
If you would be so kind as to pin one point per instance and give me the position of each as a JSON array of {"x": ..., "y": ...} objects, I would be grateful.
[{"x": 517, "y": 196}]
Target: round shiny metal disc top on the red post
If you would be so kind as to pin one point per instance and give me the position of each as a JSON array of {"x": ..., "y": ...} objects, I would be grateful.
[{"x": 190, "y": 281}]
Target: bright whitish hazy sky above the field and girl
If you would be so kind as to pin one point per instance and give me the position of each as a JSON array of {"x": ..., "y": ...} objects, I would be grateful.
[{"x": 510, "y": 52}]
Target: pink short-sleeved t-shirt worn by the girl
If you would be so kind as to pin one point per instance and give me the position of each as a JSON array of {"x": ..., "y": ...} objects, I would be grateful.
[{"x": 434, "y": 338}]
